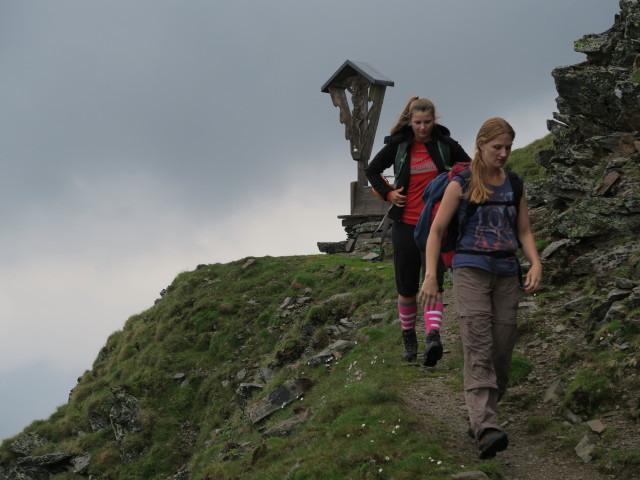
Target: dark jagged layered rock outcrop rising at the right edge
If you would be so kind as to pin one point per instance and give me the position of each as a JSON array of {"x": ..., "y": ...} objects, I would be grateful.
[{"x": 591, "y": 200}]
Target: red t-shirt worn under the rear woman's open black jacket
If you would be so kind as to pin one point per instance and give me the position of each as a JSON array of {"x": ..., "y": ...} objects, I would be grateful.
[{"x": 423, "y": 170}]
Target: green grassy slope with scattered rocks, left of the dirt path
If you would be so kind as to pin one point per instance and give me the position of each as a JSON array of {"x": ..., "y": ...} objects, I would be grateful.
[{"x": 219, "y": 320}]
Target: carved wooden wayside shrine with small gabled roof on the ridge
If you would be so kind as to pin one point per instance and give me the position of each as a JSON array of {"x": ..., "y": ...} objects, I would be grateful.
[{"x": 360, "y": 117}]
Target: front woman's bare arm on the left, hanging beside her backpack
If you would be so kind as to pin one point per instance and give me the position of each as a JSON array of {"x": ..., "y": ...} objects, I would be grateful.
[{"x": 448, "y": 208}]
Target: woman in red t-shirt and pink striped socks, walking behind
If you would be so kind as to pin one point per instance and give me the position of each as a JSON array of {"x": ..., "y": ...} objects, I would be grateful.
[{"x": 418, "y": 149}]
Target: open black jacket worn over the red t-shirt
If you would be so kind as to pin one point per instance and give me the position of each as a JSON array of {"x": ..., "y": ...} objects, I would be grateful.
[{"x": 444, "y": 156}]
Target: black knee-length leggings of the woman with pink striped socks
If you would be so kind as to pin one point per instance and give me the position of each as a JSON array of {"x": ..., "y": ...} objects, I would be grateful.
[{"x": 409, "y": 261}]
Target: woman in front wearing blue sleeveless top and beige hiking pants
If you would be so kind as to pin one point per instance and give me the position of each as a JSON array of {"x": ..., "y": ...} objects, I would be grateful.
[{"x": 486, "y": 279}]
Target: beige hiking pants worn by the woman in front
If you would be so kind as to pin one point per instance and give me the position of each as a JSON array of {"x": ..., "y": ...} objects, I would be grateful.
[{"x": 487, "y": 306}]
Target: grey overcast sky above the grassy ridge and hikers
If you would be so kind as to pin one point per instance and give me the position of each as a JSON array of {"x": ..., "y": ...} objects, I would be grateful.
[{"x": 140, "y": 138}]
